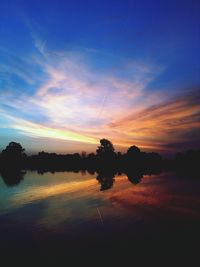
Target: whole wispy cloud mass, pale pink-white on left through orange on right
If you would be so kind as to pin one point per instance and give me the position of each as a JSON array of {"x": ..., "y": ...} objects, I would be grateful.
[{"x": 71, "y": 100}]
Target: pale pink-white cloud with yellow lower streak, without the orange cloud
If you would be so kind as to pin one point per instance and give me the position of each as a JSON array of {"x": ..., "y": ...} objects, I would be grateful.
[{"x": 74, "y": 102}]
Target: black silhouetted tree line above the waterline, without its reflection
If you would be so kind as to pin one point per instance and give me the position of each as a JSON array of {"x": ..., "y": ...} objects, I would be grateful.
[{"x": 105, "y": 158}]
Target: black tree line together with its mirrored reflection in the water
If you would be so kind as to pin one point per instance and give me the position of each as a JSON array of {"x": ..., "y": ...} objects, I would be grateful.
[{"x": 105, "y": 163}]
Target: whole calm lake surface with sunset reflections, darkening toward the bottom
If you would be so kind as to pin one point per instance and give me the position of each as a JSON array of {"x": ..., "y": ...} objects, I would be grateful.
[{"x": 54, "y": 214}]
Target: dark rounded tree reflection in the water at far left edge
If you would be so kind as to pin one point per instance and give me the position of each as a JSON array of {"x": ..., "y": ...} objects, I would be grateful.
[{"x": 12, "y": 177}]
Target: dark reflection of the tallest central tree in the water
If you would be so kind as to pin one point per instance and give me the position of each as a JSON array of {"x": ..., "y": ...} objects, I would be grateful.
[{"x": 106, "y": 179}]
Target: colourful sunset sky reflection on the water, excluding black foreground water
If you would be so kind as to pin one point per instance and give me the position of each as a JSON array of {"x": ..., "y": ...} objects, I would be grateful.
[{"x": 64, "y": 201}]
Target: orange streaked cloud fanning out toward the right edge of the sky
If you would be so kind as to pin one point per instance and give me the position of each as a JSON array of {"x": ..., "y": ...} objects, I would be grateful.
[{"x": 164, "y": 125}]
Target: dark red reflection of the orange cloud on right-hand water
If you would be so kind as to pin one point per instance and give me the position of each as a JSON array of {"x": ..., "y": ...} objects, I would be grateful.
[{"x": 157, "y": 196}]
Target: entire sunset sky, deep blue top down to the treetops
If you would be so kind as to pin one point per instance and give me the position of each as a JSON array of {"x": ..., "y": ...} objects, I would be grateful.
[{"x": 73, "y": 72}]
